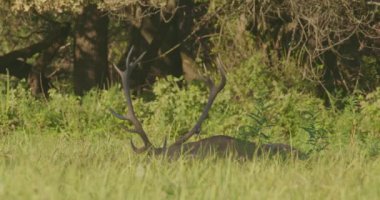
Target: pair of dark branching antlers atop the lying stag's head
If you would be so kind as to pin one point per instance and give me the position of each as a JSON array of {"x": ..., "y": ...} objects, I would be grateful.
[{"x": 138, "y": 129}]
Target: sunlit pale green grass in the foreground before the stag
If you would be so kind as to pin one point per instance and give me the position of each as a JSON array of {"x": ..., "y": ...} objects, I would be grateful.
[{"x": 53, "y": 167}]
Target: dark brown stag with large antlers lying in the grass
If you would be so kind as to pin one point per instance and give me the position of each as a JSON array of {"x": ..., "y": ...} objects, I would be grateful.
[{"x": 219, "y": 145}]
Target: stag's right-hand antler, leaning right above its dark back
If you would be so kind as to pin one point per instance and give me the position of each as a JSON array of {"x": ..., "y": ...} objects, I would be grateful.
[{"x": 214, "y": 90}]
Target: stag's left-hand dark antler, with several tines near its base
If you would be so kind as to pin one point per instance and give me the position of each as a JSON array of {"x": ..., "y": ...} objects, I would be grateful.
[{"x": 131, "y": 116}]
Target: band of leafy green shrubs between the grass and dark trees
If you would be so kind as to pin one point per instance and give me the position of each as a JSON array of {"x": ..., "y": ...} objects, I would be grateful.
[{"x": 263, "y": 110}]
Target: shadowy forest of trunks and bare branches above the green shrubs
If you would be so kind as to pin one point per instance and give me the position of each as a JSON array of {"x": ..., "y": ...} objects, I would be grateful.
[{"x": 329, "y": 48}]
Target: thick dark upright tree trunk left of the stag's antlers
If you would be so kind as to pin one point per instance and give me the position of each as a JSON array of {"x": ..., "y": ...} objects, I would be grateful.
[{"x": 91, "y": 50}]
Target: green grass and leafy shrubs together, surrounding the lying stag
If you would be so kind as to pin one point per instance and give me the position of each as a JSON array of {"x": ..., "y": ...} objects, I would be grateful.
[{"x": 70, "y": 147}]
